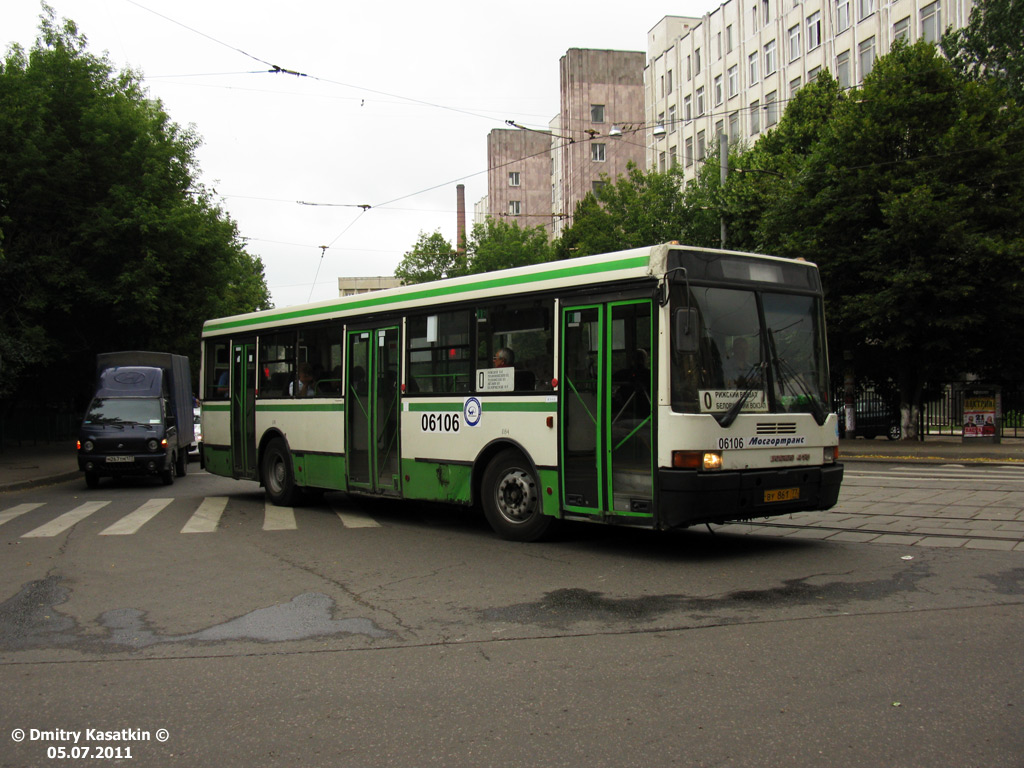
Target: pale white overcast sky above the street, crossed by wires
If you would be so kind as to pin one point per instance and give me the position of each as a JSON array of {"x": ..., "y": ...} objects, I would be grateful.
[{"x": 395, "y": 112}]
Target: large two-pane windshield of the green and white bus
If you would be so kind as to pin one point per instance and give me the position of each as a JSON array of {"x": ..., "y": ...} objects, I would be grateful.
[{"x": 743, "y": 351}]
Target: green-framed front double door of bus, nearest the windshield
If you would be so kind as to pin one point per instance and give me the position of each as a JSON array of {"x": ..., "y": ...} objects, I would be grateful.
[{"x": 608, "y": 415}]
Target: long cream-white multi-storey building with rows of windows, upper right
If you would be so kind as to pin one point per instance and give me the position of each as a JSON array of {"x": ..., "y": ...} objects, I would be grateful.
[{"x": 734, "y": 70}]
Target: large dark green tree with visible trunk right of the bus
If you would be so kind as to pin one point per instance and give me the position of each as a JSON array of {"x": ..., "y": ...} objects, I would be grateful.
[{"x": 913, "y": 204}]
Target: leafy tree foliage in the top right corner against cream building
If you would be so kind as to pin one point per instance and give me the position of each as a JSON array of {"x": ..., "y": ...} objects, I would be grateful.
[{"x": 992, "y": 46}]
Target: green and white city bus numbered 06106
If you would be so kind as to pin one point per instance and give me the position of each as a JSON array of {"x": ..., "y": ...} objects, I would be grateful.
[{"x": 661, "y": 388}]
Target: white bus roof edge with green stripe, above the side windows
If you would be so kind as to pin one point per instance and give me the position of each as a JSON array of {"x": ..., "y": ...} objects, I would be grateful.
[{"x": 609, "y": 268}]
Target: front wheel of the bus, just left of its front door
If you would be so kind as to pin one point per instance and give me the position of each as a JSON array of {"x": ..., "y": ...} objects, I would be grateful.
[{"x": 511, "y": 499}]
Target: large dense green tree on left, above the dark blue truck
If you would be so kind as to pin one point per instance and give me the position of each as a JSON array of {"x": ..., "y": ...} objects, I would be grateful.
[{"x": 108, "y": 241}]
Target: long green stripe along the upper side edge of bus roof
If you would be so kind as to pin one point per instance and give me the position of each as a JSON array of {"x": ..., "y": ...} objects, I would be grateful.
[{"x": 447, "y": 290}]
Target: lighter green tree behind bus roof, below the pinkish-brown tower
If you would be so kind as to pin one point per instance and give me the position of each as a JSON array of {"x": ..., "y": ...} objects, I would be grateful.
[{"x": 638, "y": 209}]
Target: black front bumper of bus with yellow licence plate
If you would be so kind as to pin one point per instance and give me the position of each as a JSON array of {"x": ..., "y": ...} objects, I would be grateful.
[{"x": 693, "y": 498}]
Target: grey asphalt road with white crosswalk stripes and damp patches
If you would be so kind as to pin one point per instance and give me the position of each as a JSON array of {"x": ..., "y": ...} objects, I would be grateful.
[{"x": 374, "y": 634}]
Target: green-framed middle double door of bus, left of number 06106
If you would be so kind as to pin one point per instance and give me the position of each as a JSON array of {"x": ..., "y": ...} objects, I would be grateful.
[{"x": 372, "y": 411}]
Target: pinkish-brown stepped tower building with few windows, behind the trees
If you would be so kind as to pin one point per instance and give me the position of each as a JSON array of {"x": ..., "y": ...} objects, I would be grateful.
[{"x": 537, "y": 177}]
